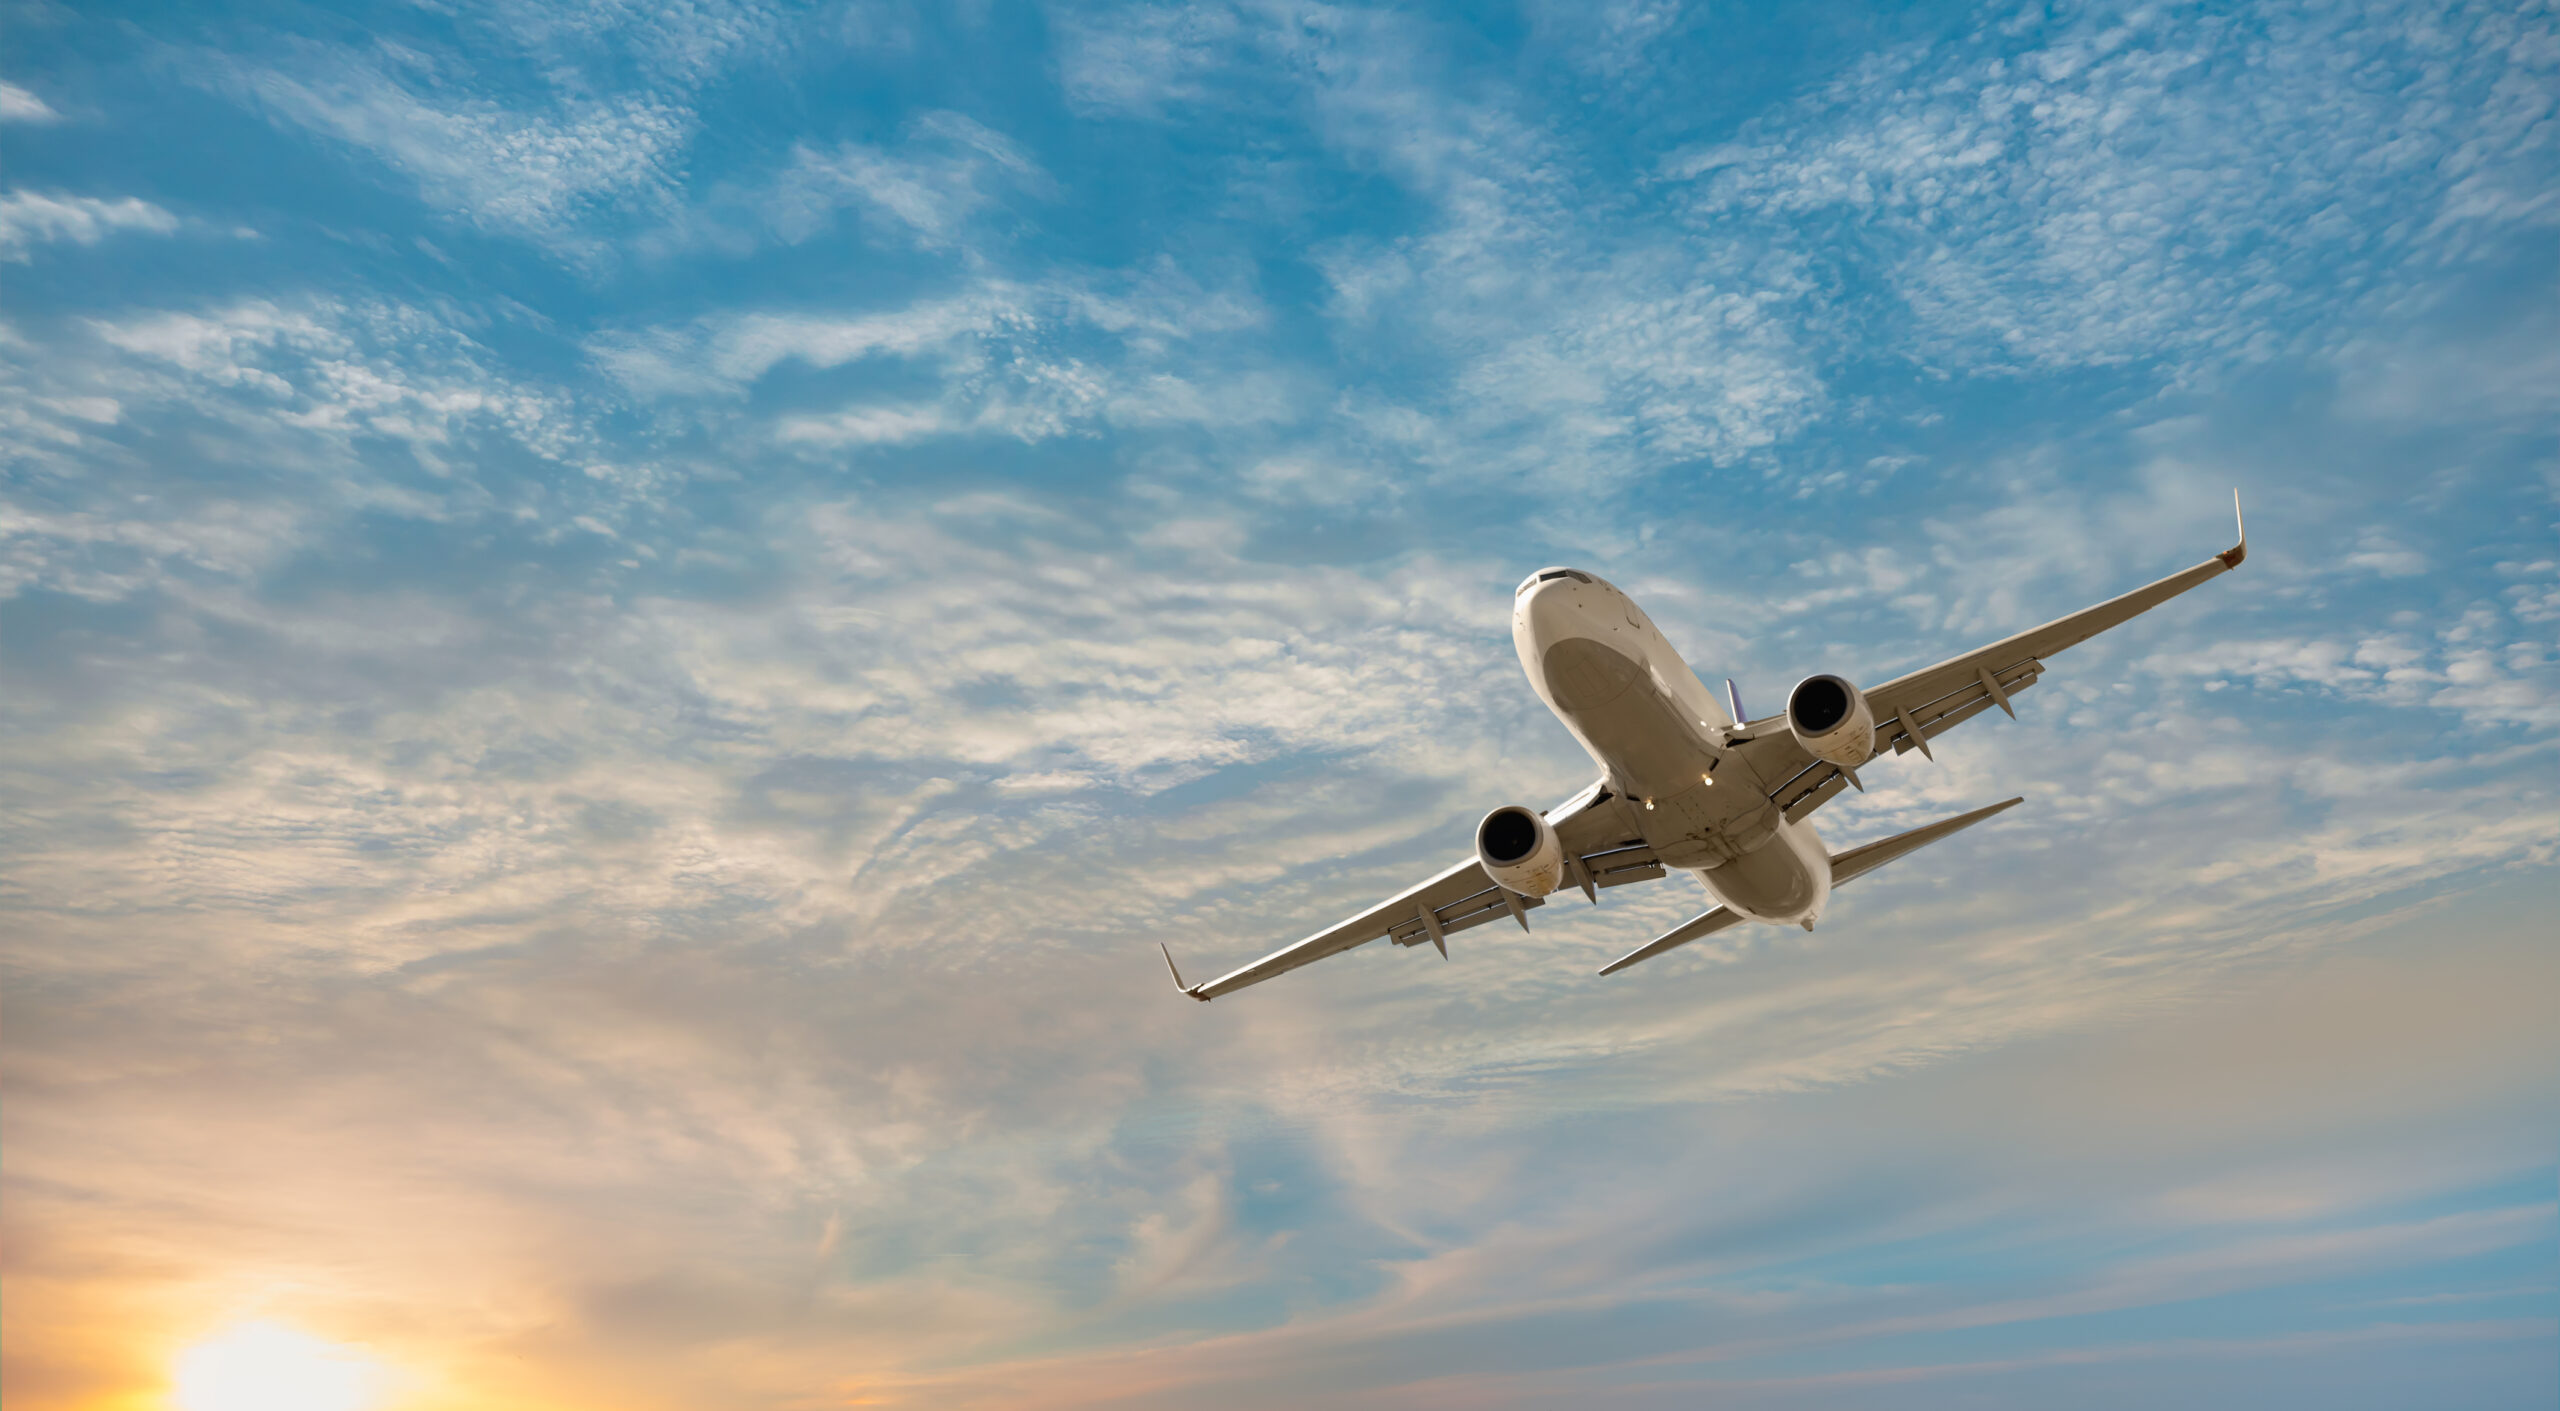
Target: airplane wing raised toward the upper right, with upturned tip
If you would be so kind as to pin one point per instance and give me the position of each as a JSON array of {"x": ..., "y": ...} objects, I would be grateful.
[{"x": 1911, "y": 711}]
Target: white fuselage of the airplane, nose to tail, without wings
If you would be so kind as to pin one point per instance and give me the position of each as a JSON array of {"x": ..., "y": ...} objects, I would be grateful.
[{"x": 1663, "y": 741}]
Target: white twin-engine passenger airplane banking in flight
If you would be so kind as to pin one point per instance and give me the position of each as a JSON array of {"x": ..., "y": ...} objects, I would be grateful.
[{"x": 1691, "y": 785}]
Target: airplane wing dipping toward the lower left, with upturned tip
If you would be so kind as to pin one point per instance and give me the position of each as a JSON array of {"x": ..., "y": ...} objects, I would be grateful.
[{"x": 1601, "y": 849}]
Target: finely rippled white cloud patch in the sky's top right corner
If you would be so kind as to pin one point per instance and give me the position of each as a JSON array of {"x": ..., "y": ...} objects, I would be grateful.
[{"x": 2103, "y": 188}]
